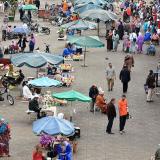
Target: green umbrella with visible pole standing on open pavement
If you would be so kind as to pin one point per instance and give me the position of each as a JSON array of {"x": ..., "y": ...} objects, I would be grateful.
[{"x": 86, "y": 42}]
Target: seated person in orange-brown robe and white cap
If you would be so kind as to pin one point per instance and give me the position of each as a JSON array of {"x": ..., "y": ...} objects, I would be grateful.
[{"x": 101, "y": 102}]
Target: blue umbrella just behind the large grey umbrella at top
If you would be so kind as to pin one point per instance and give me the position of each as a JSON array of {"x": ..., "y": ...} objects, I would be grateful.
[{"x": 86, "y": 7}]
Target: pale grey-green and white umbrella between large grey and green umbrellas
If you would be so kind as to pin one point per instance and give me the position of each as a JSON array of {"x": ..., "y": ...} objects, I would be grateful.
[{"x": 80, "y": 25}]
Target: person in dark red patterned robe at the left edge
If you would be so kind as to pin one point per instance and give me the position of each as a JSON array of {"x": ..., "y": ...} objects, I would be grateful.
[{"x": 4, "y": 138}]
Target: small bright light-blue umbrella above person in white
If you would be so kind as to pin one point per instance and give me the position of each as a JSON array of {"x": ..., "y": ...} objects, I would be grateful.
[{"x": 44, "y": 82}]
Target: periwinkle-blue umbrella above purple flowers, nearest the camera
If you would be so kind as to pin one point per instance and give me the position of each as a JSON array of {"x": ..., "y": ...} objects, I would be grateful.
[{"x": 53, "y": 126}]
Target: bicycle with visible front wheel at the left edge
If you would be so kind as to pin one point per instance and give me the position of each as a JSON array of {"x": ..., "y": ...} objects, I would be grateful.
[{"x": 10, "y": 99}]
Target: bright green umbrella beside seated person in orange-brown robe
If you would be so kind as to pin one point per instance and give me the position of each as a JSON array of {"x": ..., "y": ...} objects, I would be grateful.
[{"x": 72, "y": 96}]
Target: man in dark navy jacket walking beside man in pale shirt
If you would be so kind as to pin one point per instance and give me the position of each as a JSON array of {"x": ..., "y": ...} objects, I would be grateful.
[{"x": 125, "y": 78}]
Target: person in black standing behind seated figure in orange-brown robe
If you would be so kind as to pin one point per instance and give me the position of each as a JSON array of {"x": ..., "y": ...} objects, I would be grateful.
[{"x": 93, "y": 92}]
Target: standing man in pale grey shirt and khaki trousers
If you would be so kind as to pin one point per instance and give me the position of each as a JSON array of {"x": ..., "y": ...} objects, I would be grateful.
[{"x": 111, "y": 76}]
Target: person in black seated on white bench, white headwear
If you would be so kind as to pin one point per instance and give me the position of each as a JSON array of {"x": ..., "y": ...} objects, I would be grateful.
[{"x": 34, "y": 106}]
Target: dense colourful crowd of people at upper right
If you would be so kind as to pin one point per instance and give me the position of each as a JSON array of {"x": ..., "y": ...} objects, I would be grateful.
[{"x": 139, "y": 27}]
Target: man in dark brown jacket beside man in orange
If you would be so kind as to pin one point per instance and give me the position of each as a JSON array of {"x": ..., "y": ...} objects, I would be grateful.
[{"x": 111, "y": 113}]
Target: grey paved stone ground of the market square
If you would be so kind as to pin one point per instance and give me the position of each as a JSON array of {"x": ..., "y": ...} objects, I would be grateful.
[{"x": 142, "y": 137}]
